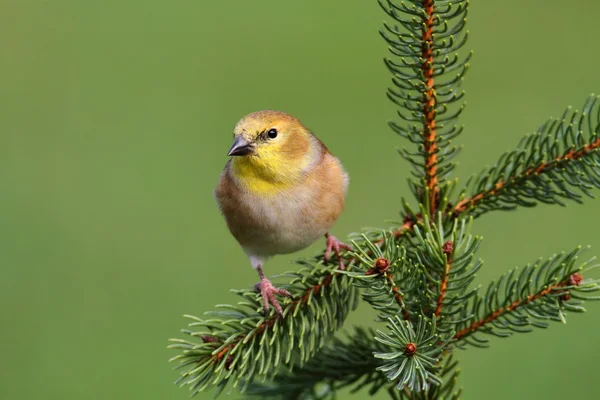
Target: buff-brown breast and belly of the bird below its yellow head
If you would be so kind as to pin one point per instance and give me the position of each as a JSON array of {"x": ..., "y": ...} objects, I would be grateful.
[{"x": 284, "y": 220}]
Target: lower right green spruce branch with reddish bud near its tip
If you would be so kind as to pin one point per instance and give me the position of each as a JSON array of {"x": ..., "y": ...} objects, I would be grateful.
[{"x": 520, "y": 300}]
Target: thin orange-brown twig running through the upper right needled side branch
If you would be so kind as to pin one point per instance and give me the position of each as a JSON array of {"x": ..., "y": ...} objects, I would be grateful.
[{"x": 558, "y": 162}]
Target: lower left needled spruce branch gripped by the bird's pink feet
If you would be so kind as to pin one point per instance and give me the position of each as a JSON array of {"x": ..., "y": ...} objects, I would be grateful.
[{"x": 239, "y": 342}]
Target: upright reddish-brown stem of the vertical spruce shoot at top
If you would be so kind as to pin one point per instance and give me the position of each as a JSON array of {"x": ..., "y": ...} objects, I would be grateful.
[{"x": 429, "y": 133}]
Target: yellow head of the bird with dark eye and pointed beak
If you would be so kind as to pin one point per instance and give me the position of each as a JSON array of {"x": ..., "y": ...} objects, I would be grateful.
[{"x": 273, "y": 146}]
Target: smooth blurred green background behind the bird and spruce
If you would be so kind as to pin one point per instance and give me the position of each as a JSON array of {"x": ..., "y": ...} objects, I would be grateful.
[{"x": 115, "y": 118}]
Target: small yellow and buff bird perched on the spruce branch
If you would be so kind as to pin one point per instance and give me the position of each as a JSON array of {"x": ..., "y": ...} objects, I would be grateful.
[{"x": 281, "y": 190}]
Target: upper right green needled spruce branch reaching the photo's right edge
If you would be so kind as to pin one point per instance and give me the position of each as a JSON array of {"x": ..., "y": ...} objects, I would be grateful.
[{"x": 560, "y": 161}]
